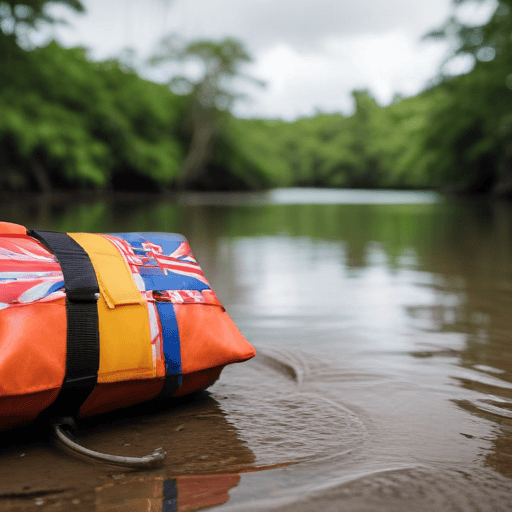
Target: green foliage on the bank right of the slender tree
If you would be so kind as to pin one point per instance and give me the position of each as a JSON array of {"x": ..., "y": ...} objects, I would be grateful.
[{"x": 455, "y": 136}]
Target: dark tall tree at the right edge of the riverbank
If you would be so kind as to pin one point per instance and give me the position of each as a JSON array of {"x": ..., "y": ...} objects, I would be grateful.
[{"x": 471, "y": 130}]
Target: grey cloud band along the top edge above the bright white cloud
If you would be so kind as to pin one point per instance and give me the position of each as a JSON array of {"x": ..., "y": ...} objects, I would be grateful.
[{"x": 304, "y": 24}]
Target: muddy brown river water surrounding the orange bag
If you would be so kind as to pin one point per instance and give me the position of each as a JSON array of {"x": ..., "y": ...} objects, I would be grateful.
[{"x": 383, "y": 380}]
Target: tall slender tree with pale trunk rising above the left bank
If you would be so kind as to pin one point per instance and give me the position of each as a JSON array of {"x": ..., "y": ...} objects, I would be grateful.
[{"x": 211, "y": 95}]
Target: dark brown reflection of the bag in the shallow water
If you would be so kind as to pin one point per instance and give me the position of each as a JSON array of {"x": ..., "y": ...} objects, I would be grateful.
[{"x": 204, "y": 457}]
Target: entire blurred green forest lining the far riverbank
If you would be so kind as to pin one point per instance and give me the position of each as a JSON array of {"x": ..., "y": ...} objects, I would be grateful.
[{"x": 69, "y": 123}]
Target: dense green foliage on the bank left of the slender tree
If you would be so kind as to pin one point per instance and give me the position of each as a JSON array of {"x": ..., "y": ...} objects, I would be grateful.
[{"x": 68, "y": 122}]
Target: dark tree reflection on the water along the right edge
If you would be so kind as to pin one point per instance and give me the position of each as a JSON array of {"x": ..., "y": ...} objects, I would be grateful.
[{"x": 472, "y": 265}]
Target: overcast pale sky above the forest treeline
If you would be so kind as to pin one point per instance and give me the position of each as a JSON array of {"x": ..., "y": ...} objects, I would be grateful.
[{"x": 310, "y": 53}]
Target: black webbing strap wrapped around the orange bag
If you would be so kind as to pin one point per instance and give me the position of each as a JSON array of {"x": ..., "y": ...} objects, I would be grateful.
[{"x": 82, "y": 293}]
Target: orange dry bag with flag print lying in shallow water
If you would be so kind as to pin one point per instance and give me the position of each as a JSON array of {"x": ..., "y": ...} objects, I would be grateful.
[{"x": 91, "y": 322}]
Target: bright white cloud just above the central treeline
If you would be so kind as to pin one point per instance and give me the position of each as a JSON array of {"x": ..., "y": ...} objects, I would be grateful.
[{"x": 299, "y": 83}]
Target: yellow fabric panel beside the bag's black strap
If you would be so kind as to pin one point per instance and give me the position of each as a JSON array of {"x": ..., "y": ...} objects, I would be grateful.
[{"x": 125, "y": 341}]
